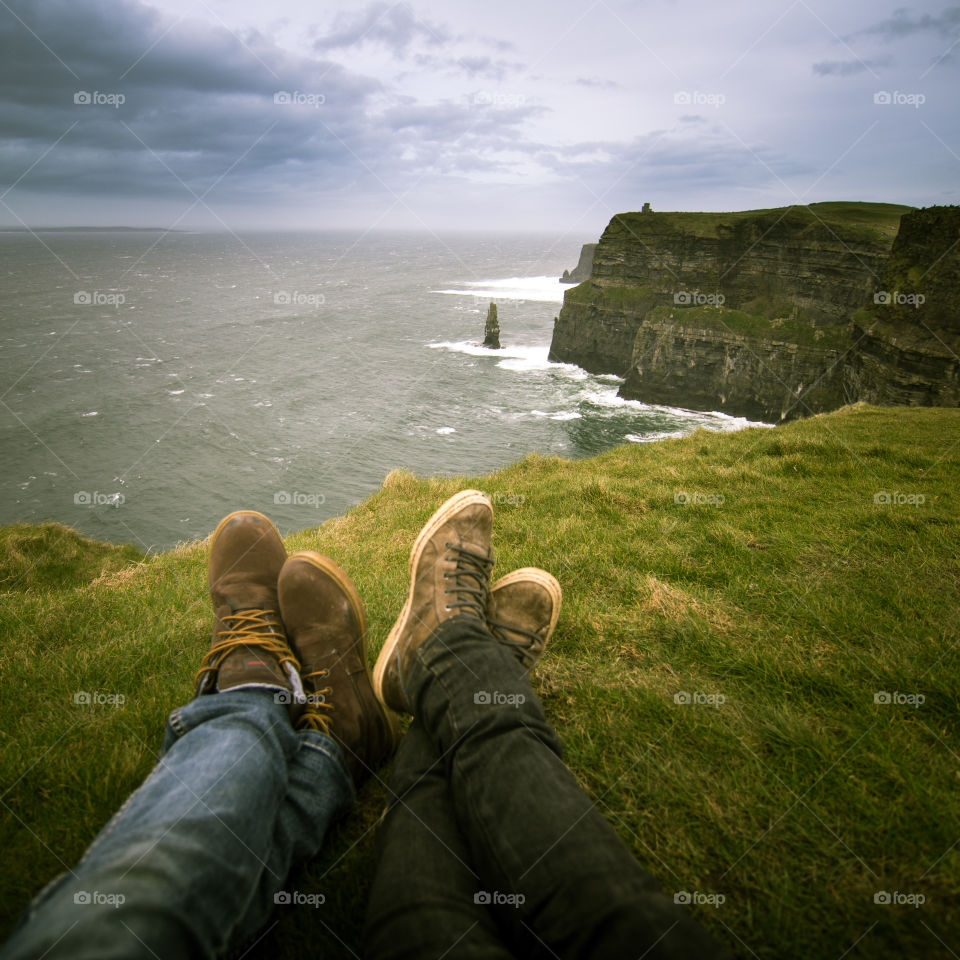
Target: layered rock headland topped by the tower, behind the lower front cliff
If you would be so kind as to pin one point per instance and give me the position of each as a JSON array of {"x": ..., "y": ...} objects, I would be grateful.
[{"x": 789, "y": 258}]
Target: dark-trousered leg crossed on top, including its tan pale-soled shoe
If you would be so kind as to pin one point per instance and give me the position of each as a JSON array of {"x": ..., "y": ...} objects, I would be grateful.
[{"x": 549, "y": 860}]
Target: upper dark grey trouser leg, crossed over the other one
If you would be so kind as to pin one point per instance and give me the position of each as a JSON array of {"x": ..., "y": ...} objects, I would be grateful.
[{"x": 550, "y": 861}]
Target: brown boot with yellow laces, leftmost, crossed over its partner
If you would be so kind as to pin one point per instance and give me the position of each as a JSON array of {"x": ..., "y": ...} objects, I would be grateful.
[{"x": 249, "y": 646}]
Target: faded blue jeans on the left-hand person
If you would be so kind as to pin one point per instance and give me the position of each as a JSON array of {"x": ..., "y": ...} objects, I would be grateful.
[{"x": 190, "y": 864}]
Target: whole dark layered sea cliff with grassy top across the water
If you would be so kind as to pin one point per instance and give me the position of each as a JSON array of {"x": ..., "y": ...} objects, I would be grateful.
[{"x": 750, "y": 312}]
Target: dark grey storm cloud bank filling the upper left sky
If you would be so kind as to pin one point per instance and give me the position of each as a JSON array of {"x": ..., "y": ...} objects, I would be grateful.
[{"x": 188, "y": 106}]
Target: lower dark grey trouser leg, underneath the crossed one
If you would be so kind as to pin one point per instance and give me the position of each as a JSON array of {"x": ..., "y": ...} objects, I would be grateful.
[{"x": 422, "y": 902}]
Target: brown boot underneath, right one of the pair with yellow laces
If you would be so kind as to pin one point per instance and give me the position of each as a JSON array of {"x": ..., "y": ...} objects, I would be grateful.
[{"x": 324, "y": 616}]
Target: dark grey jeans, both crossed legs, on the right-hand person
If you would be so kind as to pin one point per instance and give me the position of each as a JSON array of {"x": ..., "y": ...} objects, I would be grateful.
[{"x": 489, "y": 847}]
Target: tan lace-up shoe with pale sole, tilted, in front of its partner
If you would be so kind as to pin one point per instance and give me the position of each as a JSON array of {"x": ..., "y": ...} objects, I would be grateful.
[{"x": 449, "y": 576}]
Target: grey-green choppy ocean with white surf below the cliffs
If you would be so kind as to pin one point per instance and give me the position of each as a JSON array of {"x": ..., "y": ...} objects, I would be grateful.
[{"x": 152, "y": 382}]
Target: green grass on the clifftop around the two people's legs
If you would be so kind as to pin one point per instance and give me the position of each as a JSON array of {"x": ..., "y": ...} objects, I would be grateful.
[{"x": 782, "y": 586}]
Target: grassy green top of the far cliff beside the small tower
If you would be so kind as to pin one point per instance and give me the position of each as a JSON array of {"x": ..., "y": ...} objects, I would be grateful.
[{"x": 882, "y": 219}]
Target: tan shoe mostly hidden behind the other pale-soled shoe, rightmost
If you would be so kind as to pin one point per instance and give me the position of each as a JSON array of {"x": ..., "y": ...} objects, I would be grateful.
[{"x": 523, "y": 611}]
